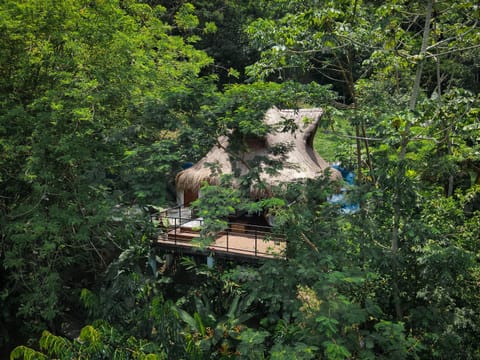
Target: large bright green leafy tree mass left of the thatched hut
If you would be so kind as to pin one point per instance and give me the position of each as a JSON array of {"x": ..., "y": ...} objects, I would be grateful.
[{"x": 78, "y": 84}]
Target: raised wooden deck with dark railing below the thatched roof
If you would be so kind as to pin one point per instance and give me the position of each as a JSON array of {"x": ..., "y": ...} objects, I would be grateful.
[{"x": 238, "y": 240}]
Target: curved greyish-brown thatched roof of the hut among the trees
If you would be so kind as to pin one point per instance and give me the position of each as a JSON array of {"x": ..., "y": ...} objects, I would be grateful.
[{"x": 300, "y": 161}]
